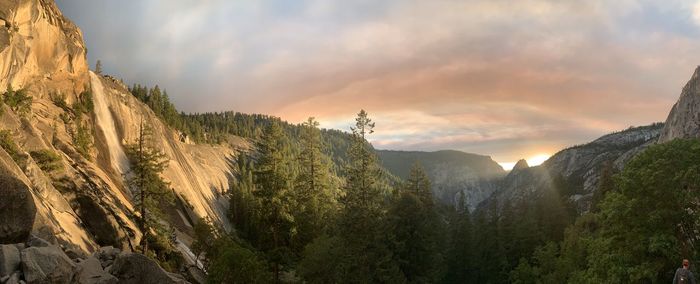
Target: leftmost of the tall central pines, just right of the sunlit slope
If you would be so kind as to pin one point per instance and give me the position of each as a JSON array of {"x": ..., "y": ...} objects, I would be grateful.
[{"x": 273, "y": 189}]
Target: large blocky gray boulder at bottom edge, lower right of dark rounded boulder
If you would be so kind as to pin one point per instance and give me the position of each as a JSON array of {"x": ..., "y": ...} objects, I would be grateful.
[{"x": 47, "y": 265}]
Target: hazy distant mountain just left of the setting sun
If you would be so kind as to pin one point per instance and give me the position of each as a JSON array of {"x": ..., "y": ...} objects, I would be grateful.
[{"x": 451, "y": 172}]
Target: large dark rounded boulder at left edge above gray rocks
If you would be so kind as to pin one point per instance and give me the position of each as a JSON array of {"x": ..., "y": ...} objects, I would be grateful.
[{"x": 16, "y": 208}]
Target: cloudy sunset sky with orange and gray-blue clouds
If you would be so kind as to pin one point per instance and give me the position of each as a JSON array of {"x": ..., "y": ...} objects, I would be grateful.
[{"x": 508, "y": 79}]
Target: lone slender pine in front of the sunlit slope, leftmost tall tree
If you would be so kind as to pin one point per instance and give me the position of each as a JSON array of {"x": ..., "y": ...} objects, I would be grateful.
[{"x": 145, "y": 182}]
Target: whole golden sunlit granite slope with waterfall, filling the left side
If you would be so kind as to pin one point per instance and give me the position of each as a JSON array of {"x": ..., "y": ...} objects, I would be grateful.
[{"x": 82, "y": 203}]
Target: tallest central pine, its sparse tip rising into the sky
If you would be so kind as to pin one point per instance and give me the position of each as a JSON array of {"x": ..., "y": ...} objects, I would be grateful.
[{"x": 361, "y": 223}]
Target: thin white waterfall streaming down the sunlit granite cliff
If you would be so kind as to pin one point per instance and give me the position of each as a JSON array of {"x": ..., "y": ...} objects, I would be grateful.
[{"x": 104, "y": 118}]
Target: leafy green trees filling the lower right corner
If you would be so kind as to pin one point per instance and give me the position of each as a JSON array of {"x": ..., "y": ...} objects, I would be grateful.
[{"x": 642, "y": 228}]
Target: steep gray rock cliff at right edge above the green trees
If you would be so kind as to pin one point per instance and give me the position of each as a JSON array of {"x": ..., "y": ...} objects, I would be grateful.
[{"x": 684, "y": 119}]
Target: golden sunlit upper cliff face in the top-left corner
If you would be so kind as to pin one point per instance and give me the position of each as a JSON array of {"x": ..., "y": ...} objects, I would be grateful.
[{"x": 40, "y": 46}]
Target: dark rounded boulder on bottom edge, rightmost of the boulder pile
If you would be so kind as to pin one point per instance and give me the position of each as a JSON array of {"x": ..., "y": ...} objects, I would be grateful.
[{"x": 137, "y": 268}]
